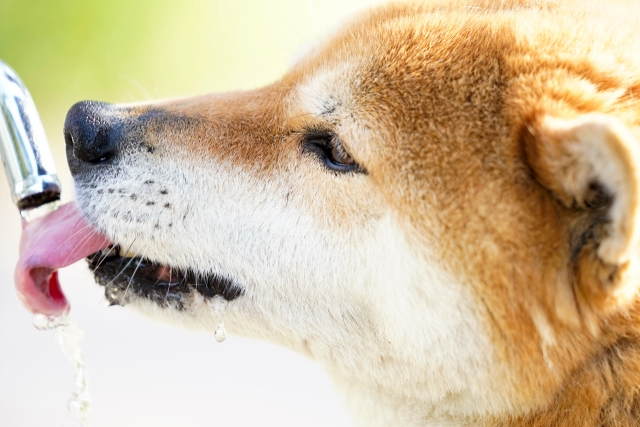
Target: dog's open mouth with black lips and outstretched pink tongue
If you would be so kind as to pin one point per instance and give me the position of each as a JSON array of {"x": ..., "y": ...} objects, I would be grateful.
[{"x": 65, "y": 236}]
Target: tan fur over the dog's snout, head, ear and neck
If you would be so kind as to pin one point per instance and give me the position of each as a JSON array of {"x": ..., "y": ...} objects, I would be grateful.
[{"x": 463, "y": 114}]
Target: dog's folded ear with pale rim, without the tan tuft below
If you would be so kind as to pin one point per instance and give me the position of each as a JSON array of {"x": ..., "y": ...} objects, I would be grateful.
[{"x": 592, "y": 163}]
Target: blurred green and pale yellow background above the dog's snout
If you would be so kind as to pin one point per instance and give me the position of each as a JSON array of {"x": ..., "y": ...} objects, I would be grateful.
[{"x": 123, "y": 51}]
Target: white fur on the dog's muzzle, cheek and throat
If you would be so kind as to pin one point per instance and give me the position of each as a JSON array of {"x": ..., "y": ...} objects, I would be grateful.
[{"x": 352, "y": 296}]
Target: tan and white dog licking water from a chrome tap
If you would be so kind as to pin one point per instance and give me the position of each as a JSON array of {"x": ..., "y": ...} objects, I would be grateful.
[{"x": 439, "y": 204}]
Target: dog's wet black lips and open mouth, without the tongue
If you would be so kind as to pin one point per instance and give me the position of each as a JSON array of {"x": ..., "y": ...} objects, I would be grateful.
[{"x": 128, "y": 278}]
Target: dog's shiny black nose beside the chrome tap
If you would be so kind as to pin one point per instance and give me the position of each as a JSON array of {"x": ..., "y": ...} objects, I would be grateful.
[{"x": 89, "y": 132}]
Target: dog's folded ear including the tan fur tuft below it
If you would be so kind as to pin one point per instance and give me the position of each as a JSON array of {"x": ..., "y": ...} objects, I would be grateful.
[{"x": 592, "y": 165}]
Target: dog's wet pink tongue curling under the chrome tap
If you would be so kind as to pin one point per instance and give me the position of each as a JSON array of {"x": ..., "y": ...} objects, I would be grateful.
[{"x": 55, "y": 241}]
